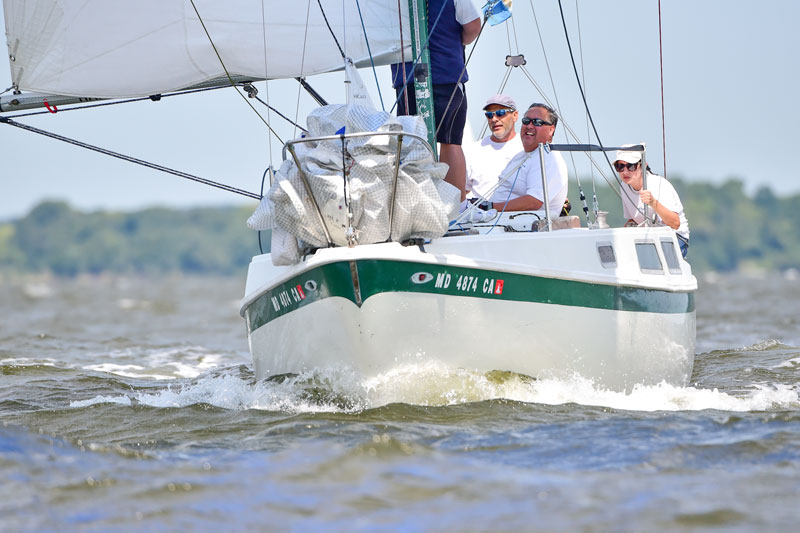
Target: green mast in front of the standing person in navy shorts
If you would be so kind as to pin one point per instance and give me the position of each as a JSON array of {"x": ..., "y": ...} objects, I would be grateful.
[{"x": 423, "y": 86}]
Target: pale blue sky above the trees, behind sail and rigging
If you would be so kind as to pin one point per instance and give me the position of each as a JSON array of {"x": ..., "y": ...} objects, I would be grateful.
[{"x": 730, "y": 78}]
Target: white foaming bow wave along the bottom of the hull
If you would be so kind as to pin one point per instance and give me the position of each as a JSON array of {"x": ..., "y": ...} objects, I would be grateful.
[{"x": 433, "y": 384}]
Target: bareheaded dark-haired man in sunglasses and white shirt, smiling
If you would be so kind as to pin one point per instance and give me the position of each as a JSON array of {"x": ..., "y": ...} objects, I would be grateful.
[{"x": 521, "y": 181}]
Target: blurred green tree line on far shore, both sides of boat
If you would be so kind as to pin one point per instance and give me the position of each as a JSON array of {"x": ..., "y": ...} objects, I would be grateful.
[{"x": 730, "y": 230}]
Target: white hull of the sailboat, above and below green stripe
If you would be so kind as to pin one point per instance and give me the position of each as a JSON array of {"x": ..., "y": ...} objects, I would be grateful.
[{"x": 616, "y": 347}]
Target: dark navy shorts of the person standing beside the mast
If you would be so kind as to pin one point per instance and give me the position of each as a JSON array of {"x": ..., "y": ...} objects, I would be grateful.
[{"x": 452, "y": 119}]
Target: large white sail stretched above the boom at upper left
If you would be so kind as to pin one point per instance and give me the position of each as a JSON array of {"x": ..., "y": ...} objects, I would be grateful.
[{"x": 123, "y": 48}]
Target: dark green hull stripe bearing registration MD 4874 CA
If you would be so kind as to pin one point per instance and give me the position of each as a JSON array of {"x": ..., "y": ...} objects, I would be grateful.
[{"x": 381, "y": 276}]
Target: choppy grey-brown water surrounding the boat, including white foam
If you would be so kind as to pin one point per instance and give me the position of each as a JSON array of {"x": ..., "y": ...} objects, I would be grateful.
[{"x": 128, "y": 404}]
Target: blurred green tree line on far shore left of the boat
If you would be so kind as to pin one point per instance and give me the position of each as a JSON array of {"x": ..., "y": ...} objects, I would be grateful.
[{"x": 57, "y": 238}]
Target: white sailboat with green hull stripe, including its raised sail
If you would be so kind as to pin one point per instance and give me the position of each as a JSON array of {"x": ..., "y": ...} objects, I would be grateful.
[{"x": 366, "y": 272}]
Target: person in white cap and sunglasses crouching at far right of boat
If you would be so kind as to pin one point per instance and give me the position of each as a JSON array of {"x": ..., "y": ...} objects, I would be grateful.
[{"x": 660, "y": 196}]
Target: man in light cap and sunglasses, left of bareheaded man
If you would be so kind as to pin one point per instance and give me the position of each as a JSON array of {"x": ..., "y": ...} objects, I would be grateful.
[{"x": 489, "y": 156}]
